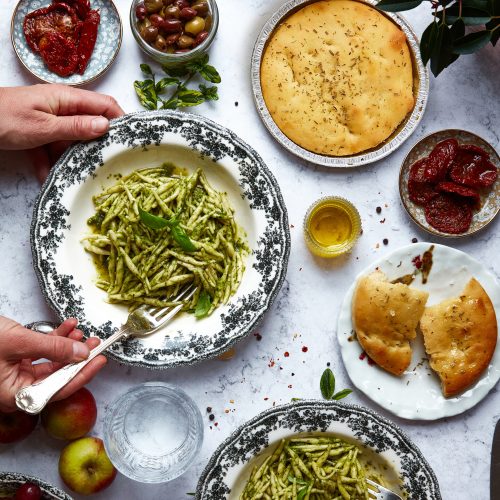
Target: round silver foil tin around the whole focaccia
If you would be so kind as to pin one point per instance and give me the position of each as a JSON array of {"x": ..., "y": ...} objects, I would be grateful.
[{"x": 400, "y": 135}]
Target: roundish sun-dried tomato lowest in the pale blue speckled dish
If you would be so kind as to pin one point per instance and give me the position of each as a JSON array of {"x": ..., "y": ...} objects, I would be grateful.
[{"x": 59, "y": 54}]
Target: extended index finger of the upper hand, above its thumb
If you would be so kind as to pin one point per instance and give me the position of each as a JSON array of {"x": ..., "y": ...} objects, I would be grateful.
[{"x": 73, "y": 101}]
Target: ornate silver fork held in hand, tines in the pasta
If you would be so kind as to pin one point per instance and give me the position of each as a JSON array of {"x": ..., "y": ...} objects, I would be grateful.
[{"x": 143, "y": 321}]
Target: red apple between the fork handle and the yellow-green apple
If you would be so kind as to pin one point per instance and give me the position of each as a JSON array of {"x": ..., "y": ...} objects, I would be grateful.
[{"x": 72, "y": 417}]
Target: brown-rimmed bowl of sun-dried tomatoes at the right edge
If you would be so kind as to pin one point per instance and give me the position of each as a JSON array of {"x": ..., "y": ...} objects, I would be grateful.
[{"x": 449, "y": 183}]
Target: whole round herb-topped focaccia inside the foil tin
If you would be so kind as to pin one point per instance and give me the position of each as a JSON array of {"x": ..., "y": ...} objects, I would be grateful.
[{"x": 337, "y": 77}]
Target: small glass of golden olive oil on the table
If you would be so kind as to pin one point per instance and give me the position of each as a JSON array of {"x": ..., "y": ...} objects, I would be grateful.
[{"x": 331, "y": 227}]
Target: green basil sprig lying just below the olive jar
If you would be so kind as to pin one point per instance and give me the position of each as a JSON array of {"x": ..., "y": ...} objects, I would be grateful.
[{"x": 151, "y": 93}]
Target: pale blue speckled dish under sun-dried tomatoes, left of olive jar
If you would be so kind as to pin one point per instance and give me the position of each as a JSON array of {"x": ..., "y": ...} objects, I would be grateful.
[{"x": 109, "y": 39}]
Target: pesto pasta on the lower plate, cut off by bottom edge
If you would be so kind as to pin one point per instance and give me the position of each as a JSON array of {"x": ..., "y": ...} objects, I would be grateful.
[{"x": 311, "y": 468}]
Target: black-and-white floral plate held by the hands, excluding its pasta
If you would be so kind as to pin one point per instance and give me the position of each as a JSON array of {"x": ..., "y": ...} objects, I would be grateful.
[{"x": 67, "y": 274}]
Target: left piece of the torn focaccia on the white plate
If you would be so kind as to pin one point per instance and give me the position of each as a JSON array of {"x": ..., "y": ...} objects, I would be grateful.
[{"x": 385, "y": 317}]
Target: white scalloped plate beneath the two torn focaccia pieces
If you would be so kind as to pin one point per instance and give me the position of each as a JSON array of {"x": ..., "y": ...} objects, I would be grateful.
[{"x": 417, "y": 393}]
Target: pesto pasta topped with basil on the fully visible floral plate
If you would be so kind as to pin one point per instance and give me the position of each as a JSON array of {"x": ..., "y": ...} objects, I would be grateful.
[{"x": 155, "y": 232}]
